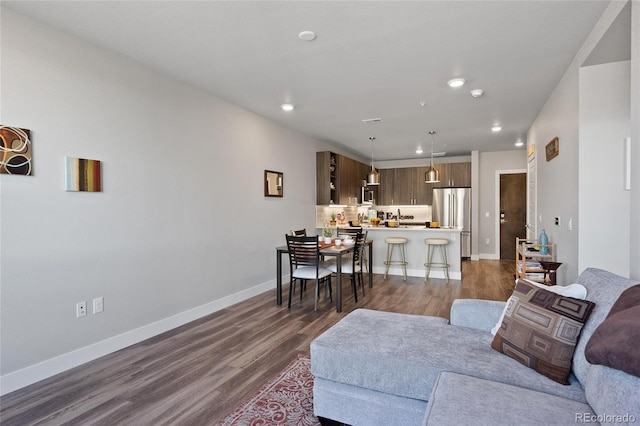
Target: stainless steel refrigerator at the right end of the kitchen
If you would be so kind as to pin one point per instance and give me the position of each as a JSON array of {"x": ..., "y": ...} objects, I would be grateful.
[{"x": 452, "y": 208}]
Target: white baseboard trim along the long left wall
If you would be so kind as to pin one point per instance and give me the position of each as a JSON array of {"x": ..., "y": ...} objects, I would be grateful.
[{"x": 34, "y": 373}]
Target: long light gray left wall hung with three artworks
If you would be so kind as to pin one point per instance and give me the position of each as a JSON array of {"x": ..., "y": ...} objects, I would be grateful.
[{"x": 181, "y": 228}]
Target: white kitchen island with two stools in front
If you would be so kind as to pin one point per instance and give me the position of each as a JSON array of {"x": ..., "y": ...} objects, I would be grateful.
[{"x": 416, "y": 249}]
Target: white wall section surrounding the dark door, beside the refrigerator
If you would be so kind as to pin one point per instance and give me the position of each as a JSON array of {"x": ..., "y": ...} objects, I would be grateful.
[{"x": 490, "y": 164}]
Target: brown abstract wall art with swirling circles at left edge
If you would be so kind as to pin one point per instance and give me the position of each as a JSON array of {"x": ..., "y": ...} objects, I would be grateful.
[{"x": 15, "y": 151}]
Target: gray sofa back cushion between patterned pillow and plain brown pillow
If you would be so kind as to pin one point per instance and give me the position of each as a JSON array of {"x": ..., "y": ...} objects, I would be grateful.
[{"x": 603, "y": 288}]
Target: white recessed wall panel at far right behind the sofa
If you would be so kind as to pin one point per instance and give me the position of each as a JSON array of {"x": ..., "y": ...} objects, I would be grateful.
[{"x": 604, "y": 123}]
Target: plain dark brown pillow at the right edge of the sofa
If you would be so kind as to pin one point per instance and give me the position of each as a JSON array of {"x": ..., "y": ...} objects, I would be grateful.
[{"x": 615, "y": 341}]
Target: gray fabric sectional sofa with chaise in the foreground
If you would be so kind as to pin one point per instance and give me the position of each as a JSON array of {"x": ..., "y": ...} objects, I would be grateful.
[{"x": 383, "y": 368}]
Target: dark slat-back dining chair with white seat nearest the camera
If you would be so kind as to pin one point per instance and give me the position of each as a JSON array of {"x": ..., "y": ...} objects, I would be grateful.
[{"x": 305, "y": 264}]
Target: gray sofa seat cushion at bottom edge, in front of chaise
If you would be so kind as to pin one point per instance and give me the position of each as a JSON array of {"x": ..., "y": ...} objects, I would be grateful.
[{"x": 455, "y": 400}]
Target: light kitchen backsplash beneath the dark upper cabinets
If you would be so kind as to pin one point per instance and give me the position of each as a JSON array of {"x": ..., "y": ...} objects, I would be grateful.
[{"x": 344, "y": 214}]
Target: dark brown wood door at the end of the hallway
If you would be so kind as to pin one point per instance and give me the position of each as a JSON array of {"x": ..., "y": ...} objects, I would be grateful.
[{"x": 513, "y": 212}]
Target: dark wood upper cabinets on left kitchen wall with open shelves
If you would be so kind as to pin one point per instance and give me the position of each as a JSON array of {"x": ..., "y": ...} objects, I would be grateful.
[{"x": 338, "y": 178}]
